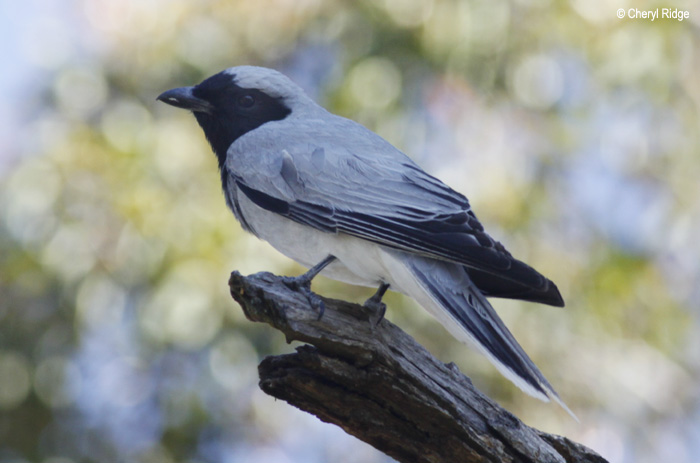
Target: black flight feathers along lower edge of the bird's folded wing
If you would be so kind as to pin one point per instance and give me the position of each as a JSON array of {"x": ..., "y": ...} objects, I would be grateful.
[{"x": 457, "y": 237}]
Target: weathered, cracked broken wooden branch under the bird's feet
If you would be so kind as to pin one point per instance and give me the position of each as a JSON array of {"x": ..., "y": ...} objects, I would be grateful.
[{"x": 380, "y": 385}]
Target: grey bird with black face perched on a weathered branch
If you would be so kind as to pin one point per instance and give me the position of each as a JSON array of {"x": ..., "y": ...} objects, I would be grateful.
[{"x": 339, "y": 199}]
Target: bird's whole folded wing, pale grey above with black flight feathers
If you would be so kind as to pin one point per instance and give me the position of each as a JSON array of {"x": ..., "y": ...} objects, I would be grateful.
[{"x": 354, "y": 182}]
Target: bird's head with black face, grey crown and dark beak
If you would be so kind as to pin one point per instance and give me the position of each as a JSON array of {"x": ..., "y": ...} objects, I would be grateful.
[{"x": 233, "y": 102}]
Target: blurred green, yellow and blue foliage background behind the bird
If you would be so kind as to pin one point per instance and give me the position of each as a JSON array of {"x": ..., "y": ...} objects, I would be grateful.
[{"x": 573, "y": 133}]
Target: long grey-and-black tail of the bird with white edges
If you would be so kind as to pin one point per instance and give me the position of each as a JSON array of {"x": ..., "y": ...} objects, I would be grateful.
[{"x": 446, "y": 291}]
